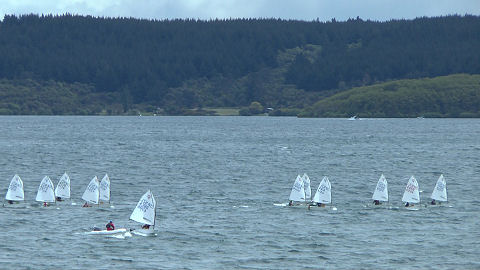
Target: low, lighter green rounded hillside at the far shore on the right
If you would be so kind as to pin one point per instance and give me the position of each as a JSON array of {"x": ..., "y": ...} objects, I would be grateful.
[{"x": 446, "y": 96}]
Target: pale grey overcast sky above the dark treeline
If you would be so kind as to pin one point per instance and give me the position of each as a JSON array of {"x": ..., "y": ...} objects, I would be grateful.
[{"x": 308, "y": 10}]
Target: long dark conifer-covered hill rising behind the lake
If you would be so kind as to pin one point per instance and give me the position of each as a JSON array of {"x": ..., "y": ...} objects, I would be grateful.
[{"x": 178, "y": 64}]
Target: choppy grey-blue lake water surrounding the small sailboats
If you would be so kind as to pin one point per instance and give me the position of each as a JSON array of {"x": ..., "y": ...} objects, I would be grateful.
[{"x": 216, "y": 180}]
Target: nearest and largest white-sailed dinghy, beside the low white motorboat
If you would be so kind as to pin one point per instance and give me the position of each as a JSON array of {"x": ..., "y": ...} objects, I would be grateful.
[{"x": 144, "y": 213}]
